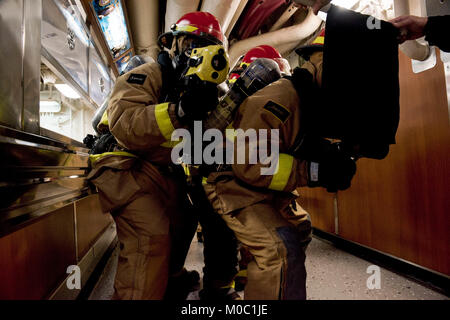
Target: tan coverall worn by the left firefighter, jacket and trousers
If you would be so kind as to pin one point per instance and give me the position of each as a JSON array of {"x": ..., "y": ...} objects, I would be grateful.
[{"x": 137, "y": 186}]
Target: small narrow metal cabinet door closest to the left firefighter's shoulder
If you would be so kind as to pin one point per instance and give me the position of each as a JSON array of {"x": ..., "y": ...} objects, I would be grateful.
[{"x": 99, "y": 79}]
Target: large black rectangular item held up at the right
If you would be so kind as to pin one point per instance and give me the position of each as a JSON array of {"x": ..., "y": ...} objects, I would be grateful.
[{"x": 360, "y": 82}]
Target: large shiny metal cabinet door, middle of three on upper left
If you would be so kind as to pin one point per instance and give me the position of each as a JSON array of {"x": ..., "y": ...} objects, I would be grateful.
[{"x": 65, "y": 39}]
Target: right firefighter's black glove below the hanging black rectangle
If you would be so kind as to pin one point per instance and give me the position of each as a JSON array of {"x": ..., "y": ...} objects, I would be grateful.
[{"x": 328, "y": 166}]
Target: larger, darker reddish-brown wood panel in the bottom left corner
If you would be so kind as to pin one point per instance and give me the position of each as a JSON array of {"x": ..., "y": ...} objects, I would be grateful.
[{"x": 34, "y": 260}]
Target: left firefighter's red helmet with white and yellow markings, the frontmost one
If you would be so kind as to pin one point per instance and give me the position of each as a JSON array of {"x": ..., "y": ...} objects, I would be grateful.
[{"x": 200, "y": 24}]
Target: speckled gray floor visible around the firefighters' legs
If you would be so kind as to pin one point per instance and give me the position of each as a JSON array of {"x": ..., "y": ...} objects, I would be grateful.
[{"x": 332, "y": 275}]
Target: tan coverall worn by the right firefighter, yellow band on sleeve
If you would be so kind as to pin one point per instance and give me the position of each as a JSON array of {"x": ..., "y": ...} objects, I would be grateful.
[{"x": 256, "y": 207}]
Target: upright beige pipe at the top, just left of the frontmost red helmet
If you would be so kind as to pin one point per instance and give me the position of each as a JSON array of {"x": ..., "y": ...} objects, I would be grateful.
[{"x": 144, "y": 22}]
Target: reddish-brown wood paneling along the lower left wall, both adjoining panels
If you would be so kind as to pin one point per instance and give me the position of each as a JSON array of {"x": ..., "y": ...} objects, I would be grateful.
[{"x": 34, "y": 259}]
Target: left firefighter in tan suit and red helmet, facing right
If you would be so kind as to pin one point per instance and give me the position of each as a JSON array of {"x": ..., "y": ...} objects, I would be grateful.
[{"x": 136, "y": 180}]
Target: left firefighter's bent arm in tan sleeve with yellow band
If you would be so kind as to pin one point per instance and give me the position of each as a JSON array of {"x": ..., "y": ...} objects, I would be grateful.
[{"x": 135, "y": 118}]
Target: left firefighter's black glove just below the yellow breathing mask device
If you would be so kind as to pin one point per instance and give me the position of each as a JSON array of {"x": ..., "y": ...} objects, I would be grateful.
[{"x": 195, "y": 104}]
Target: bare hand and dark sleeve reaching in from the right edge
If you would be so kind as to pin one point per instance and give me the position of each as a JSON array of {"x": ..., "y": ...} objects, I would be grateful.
[{"x": 434, "y": 29}]
